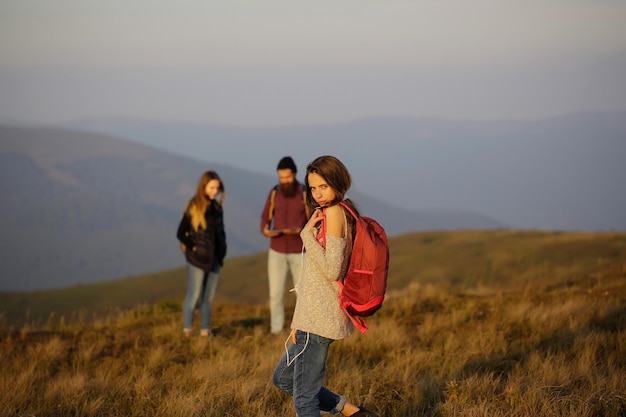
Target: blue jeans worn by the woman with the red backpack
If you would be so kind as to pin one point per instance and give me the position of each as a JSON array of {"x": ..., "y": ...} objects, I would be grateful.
[{"x": 300, "y": 373}]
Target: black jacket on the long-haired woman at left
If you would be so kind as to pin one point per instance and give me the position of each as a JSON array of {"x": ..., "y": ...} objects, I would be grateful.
[{"x": 209, "y": 243}]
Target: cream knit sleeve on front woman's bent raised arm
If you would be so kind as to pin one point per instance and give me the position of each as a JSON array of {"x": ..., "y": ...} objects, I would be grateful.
[{"x": 330, "y": 260}]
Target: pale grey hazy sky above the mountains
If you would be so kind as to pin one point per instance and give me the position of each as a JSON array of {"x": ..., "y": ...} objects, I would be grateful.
[{"x": 283, "y": 62}]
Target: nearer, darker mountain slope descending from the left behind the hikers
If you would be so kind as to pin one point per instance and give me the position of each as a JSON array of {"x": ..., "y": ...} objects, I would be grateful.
[{"x": 80, "y": 207}]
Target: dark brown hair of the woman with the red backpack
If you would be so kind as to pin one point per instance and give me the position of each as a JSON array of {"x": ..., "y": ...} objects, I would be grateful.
[{"x": 335, "y": 174}]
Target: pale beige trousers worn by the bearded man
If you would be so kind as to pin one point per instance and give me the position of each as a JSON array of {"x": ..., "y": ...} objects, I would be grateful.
[{"x": 278, "y": 266}]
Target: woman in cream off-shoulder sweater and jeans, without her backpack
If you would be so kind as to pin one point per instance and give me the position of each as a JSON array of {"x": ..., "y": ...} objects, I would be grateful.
[{"x": 318, "y": 318}]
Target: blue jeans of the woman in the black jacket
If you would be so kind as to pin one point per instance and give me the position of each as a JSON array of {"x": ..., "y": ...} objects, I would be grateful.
[{"x": 201, "y": 287}]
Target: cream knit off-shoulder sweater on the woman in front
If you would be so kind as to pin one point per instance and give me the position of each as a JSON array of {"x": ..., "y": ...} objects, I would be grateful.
[{"x": 317, "y": 307}]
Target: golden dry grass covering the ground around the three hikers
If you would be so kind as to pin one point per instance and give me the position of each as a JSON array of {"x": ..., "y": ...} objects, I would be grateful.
[{"x": 535, "y": 326}]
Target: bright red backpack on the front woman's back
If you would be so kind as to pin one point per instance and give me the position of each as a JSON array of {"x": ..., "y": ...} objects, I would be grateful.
[{"x": 364, "y": 285}]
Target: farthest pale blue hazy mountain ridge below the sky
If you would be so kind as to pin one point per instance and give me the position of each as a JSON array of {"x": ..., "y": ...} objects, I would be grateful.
[{"x": 561, "y": 173}]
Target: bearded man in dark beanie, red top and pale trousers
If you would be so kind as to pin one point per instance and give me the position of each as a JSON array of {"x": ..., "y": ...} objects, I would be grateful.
[{"x": 284, "y": 214}]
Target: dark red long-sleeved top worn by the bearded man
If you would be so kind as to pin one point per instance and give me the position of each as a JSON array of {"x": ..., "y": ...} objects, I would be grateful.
[{"x": 288, "y": 213}]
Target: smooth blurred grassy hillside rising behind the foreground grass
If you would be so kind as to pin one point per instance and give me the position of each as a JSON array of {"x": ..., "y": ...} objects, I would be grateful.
[{"x": 459, "y": 260}]
